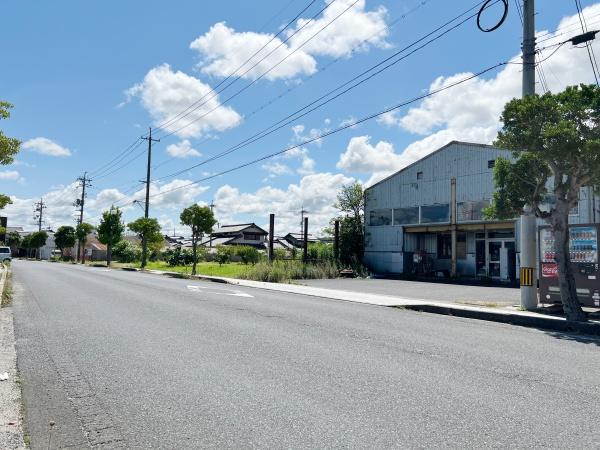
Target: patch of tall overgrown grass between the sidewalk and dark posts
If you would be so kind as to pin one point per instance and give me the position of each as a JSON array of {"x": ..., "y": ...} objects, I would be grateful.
[{"x": 282, "y": 271}]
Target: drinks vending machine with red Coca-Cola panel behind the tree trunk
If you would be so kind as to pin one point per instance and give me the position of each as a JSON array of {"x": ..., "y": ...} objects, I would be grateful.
[{"x": 583, "y": 249}]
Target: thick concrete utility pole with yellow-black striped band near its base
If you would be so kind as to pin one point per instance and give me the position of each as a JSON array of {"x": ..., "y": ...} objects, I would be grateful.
[{"x": 528, "y": 242}]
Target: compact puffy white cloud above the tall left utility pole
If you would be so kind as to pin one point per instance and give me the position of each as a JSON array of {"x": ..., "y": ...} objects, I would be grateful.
[{"x": 165, "y": 93}]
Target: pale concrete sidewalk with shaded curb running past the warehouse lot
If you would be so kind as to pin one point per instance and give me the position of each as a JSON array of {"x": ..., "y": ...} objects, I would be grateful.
[{"x": 503, "y": 314}]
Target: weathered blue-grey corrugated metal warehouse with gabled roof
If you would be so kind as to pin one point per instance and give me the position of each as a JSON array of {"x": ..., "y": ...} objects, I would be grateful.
[{"x": 415, "y": 217}]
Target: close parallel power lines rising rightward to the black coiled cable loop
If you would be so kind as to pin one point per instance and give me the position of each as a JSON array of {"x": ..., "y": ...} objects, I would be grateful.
[{"x": 391, "y": 61}]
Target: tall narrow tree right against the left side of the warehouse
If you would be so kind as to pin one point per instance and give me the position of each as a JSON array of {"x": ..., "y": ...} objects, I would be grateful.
[{"x": 351, "y": 202}]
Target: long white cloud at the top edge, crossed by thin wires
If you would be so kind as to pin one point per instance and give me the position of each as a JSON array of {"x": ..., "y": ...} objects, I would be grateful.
[{"x": 223, "y": 49}]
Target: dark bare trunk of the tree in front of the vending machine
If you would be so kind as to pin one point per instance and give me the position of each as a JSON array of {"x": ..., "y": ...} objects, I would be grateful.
[{"x": 566, "y": 279}]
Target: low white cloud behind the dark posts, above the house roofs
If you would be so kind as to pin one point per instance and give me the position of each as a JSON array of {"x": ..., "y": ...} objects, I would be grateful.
[{"x": 316, "y": 193}]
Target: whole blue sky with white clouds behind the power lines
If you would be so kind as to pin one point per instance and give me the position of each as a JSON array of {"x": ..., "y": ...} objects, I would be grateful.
[{"x": 87, "y": 80}]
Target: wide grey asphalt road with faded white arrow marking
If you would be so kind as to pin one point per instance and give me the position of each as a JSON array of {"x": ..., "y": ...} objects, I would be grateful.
[{"x": 130, "y": 360}]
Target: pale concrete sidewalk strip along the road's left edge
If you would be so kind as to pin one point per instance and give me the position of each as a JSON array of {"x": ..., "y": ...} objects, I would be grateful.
[{"x": 11, "y": 427}]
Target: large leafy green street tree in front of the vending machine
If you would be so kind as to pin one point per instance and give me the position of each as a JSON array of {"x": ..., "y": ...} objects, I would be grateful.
[{"x": 556, "y": 139}]
